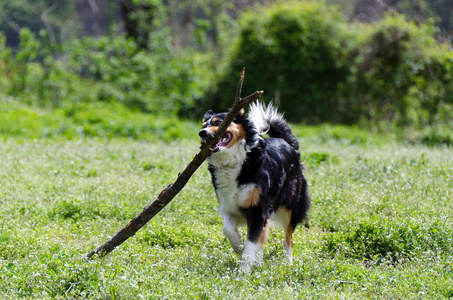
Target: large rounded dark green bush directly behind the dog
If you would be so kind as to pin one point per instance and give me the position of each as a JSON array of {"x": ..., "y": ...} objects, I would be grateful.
[{"x": 295, "y": 52}]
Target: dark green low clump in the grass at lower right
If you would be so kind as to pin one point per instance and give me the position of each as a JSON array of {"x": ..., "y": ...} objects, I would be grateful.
[{"x": 394, "y": 240}]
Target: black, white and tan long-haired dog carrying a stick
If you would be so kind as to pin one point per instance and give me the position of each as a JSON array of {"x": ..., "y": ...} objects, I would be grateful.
[{"x": 256, "y": 179}]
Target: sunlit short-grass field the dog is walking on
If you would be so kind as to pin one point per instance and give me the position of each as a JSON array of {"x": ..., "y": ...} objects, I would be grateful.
[{"x": 381, "y": 223}]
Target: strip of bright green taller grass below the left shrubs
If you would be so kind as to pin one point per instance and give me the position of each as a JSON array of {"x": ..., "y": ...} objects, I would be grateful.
[{"x": 93, "y": 119}]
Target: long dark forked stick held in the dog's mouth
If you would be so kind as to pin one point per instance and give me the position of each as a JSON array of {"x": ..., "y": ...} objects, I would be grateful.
[{"x": 173, "y": 189}]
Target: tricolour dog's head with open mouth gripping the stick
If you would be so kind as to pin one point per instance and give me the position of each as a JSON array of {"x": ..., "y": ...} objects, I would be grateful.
[{"x": 241, "y": 130}]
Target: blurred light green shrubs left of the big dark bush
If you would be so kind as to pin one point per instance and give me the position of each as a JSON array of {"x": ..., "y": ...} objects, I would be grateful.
[{"x": 109, "y": 69}]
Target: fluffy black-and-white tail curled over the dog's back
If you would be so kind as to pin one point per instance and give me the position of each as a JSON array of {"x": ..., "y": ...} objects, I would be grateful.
[{"x": 268, "y": 120}]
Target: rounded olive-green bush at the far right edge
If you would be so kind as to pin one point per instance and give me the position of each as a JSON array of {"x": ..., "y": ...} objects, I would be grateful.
[{"x": 398, "y": 74}]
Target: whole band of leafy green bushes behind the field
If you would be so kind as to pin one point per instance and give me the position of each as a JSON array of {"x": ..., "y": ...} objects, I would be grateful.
[{"x": 315, "y": 65}]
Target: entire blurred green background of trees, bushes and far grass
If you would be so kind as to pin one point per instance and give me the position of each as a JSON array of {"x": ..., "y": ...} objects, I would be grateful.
[{"x": 139, "y": 67}]
